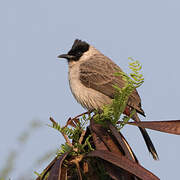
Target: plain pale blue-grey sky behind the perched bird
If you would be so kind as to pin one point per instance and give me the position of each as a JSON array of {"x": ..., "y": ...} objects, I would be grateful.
[{"x": 34, "y": 82}]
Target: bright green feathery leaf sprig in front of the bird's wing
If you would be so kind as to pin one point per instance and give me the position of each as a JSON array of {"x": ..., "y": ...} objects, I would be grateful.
[{"x": 114, "y": 111}]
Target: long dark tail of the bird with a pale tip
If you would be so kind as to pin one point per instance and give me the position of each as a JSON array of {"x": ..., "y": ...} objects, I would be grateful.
[{"x": 147, "y": 139}]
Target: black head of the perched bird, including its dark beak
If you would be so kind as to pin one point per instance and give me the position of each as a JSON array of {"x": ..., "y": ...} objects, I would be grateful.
[{"x": 79, "y": 47}]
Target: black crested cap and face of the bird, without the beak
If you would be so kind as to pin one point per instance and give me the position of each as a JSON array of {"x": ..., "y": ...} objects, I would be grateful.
[{"x": 78, "y": 48}]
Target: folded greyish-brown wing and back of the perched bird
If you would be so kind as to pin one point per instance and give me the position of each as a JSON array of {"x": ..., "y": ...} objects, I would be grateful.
[{"x": 98, "y": 73}]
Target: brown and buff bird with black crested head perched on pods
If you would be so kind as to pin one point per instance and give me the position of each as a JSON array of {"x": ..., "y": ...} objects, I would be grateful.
[{"x": 91, "y": 79}]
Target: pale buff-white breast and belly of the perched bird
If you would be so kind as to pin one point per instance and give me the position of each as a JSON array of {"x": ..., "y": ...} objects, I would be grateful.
[{"x": 87, "y": 97}]
